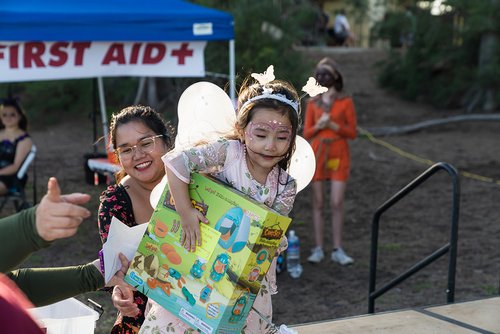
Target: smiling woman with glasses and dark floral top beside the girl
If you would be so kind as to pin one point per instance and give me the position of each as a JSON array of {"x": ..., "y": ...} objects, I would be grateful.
[{"x": 140, "y": 137}]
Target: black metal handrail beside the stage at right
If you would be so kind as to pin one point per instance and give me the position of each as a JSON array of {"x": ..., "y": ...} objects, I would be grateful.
[{"x": 450, "y": 247}]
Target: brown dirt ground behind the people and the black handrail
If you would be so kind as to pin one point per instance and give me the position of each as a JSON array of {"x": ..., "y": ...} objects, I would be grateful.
[{"x": 417, "y": 226}]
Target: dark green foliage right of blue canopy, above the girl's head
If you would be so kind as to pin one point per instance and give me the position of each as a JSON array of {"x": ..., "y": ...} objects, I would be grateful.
[{"x": 265, "y": 33}]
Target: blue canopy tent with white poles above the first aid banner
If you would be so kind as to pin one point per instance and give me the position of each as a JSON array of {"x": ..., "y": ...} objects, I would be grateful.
[{"x": 111, "y": 21}]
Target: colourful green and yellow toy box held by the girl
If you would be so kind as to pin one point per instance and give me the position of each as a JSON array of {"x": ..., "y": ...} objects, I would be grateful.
[{"x": 212, "y": 289}]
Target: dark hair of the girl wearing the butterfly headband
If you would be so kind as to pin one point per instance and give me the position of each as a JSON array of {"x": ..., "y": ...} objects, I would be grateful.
[{"x": 245, "y": 115}]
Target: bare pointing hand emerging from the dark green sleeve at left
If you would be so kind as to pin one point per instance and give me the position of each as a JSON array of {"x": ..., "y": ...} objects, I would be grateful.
[{"x": 59, "y": 216}]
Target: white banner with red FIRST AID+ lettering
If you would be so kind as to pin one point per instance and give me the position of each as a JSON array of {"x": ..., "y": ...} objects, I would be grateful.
[{"x": 29, "y": 61}]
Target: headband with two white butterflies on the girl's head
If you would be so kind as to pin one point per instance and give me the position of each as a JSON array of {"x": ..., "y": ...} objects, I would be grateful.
[{"x": 312, "y": 88}]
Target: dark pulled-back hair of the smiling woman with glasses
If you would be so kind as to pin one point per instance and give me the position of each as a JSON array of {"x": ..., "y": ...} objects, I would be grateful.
[{"x": 146, "y": 115}]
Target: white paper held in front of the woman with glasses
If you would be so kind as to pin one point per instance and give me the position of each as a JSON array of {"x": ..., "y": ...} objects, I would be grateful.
[{"x": 121, "y": 239}]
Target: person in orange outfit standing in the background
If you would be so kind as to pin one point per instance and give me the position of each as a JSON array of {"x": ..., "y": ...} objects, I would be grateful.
[{"x": 330, "y": 121}]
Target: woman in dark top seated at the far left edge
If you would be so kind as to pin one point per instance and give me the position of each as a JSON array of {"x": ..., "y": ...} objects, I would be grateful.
[{"x": 15, "y": 143}]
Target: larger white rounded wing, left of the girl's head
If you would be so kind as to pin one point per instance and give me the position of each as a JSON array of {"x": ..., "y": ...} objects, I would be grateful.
[{"x": 205, "y": 113}]
